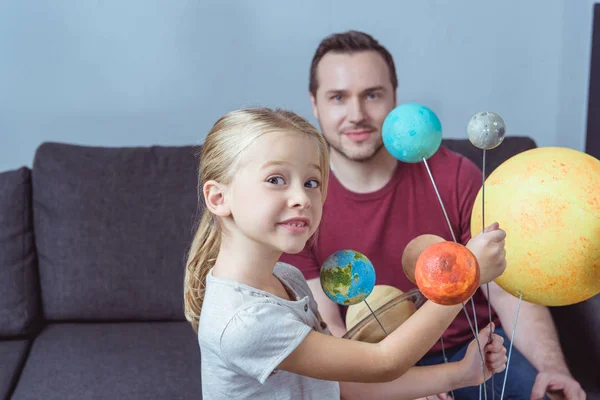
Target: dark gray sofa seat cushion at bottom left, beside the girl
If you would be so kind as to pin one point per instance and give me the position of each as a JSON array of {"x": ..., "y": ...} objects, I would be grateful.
[{"x": 152, "y": 360}]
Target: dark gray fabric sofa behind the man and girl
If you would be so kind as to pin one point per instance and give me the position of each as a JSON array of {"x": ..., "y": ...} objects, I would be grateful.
[{"x": 92, "y": 247}]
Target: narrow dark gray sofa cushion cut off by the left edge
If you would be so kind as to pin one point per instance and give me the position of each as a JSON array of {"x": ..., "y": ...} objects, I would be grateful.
[{"x": 19, "y": 293}]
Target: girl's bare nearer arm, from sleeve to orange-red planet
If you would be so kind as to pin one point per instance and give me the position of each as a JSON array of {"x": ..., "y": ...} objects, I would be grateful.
[{"x": 329, "y": 358}]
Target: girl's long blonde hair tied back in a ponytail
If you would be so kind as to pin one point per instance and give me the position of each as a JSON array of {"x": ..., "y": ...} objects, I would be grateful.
[{"x": 219, "y": 157}]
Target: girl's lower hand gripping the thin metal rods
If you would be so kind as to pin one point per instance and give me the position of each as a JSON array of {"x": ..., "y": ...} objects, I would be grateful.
[{"x": 494, "y": 354}]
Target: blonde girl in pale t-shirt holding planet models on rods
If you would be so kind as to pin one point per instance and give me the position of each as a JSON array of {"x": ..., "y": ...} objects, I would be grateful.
[{"x": 263, "y": 180}]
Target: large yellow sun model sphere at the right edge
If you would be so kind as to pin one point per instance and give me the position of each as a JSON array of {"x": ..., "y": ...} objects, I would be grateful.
[{"x": 548, "y": 202}]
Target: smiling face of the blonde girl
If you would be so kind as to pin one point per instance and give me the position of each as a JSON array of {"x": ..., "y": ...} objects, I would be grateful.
[{"x": 275, "y": 197}]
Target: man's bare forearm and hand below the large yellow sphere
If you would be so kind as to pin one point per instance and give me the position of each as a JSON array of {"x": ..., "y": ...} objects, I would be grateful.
[{"x": 536, "y": 338}]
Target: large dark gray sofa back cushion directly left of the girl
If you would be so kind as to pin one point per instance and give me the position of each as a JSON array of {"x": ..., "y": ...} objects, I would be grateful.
[{"x": 112, "y": 229}]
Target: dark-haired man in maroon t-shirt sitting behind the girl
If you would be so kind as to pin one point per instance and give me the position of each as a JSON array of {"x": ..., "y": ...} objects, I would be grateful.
[{"x": 376, "y": 205}]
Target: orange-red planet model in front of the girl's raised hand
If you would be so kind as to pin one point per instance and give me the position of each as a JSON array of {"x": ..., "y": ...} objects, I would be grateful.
[{"x": 447, "y": 273}]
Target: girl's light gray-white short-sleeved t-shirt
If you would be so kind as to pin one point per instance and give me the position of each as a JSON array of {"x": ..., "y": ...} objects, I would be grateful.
[{"x": 244, "y": 334}]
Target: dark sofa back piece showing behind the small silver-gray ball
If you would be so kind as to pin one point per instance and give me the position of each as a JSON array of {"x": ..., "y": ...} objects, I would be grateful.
[{"x": 510, "y": 146}]
